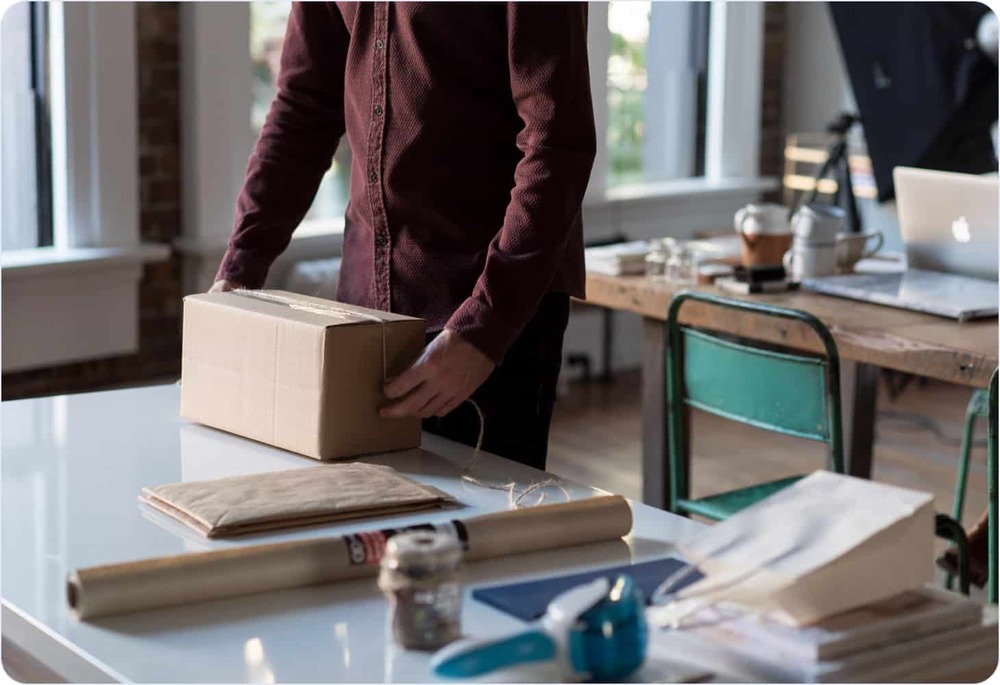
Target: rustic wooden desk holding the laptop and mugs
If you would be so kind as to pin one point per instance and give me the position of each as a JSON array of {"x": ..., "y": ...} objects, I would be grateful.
[{"x": 871, "y": 336}]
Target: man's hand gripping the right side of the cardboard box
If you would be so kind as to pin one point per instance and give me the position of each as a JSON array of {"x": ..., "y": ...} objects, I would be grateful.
[{"x": 448, "y": 371}]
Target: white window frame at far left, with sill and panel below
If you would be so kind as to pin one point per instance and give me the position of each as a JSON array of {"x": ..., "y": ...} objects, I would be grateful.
[{"x": 78, "y": 299}]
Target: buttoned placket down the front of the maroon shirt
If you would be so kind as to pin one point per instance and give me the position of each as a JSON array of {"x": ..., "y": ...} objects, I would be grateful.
[{"x": 374, "y": 160}]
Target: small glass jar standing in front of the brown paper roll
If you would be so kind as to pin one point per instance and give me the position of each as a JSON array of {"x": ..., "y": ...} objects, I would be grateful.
[{"x": 420, "y": 576}]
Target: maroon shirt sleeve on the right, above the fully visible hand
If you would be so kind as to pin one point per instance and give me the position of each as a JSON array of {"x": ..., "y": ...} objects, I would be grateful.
[{"x": 550, "y": 83}]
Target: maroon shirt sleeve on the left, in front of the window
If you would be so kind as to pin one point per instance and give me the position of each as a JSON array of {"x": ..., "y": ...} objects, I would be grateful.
[{"x": 296, "y": 144}]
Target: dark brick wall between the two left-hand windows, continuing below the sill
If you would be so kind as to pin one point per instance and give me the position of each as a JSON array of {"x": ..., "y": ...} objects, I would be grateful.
[{"x": 160, "y": 210}]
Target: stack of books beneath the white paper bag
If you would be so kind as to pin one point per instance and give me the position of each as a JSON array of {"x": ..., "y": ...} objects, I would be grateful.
[{"x": 927, "y": 635}]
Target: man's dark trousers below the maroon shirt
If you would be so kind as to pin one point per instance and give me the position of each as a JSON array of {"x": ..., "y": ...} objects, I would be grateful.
[{"x": 518, "y": 397}]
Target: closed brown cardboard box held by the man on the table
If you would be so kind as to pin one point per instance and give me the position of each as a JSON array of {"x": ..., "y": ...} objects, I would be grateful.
[{"x": 296, "y": 372}]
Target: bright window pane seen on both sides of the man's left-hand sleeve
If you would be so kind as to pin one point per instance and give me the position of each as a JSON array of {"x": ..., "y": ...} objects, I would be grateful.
[{"x": 267, "y": 30}]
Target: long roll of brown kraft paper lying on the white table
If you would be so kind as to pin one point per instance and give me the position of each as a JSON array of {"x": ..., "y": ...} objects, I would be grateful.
[{"x": 203, "y": 576}]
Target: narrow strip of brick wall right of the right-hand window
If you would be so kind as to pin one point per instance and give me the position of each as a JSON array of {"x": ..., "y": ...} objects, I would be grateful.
[{"x": 772, "y": 137}]
